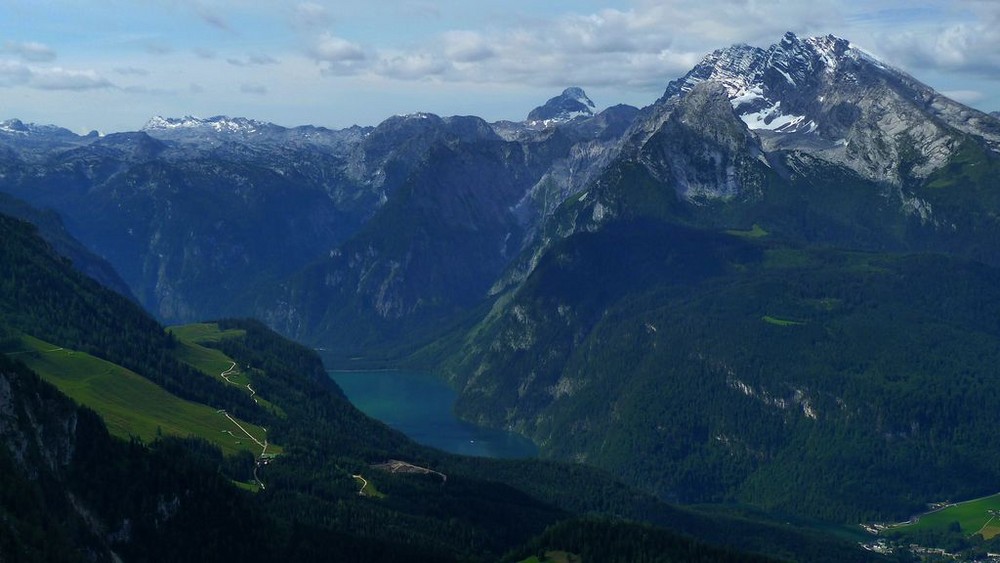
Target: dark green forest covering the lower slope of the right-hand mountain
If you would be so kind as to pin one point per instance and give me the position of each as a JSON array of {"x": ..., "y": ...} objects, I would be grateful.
[{"x": 844, "y": 386}]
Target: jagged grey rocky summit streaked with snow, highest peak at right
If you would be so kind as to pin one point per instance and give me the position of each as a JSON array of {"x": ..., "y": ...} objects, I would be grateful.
[{"x": 827, "y": 97}]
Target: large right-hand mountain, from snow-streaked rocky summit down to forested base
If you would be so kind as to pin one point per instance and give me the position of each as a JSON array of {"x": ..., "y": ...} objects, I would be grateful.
[{"x": 699, "y": 320}]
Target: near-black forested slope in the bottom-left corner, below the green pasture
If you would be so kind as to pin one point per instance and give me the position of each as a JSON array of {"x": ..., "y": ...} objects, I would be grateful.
[{"x": 81, "y": 495}]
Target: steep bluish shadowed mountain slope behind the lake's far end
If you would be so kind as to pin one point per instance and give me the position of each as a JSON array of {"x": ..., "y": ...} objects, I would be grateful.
[{"x": 430, "y": 254}]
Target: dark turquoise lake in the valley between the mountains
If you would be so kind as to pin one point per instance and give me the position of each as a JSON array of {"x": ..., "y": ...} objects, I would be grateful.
[{"x": 420, "y": 406}]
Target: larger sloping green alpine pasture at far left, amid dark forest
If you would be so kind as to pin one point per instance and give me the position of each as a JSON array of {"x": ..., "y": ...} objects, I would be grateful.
[{"x": 131, "y": 405}]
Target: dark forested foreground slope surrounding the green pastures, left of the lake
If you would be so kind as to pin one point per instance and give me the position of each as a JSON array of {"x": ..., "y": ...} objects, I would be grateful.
[{"x": 71, "y": 492}]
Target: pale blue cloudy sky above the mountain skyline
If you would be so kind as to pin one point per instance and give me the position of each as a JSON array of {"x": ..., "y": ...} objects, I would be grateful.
[{"x": 112, "y": 64}]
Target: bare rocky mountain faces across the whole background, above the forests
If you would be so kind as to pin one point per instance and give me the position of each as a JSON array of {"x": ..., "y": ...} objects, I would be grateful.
[{"x": 226, "y": 216}]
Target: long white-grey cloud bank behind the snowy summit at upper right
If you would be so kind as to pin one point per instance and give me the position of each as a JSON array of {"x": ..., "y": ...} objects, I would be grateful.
[{"x": 650, "y": 42}]
